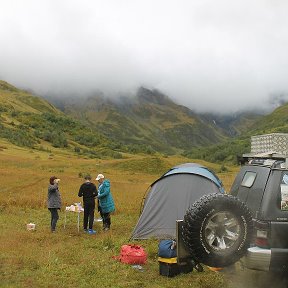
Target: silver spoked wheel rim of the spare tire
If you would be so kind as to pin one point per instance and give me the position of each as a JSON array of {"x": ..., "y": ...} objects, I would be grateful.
[{"x": 222, "y": 231}]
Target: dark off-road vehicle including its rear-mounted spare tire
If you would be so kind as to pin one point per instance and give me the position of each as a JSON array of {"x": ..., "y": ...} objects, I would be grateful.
[{"x": 251, "y": 222}]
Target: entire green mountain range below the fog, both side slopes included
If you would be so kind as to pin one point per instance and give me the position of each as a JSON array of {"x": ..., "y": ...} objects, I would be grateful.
[{"x": 147, "y": 122}]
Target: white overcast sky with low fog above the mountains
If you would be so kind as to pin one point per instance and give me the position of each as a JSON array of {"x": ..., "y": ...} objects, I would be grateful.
[{"x": 209, "y": 55}]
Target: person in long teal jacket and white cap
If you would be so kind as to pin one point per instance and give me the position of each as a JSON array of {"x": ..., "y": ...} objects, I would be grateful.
[{"x": 106, "y": 203}]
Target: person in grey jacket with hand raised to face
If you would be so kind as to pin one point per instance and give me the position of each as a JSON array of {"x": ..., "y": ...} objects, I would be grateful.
[{"x": 54, "y": 201}]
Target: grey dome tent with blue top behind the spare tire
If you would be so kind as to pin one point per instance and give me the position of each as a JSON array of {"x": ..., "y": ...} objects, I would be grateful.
[{"x": 170, "y": 196}]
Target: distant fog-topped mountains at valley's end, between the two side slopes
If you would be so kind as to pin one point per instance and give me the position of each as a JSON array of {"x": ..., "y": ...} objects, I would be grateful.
[{"x": 151, "y": 114}]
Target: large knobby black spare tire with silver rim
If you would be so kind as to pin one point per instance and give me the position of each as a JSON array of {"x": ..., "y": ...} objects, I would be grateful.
[{"x": 217, "y": 229}]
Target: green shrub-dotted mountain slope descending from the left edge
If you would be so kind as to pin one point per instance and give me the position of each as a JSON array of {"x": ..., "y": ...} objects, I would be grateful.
[{"x": 30, "y": 121}]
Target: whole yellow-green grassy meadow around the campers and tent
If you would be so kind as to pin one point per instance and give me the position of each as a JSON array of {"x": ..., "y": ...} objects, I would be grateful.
[{"x": 68, "y": 258}]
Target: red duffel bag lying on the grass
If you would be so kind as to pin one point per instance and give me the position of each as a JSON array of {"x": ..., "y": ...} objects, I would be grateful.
[{"x": 132, "y": 254}]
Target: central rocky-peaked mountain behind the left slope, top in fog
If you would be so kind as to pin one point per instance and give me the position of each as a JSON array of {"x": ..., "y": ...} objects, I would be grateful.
[{"x": 150, "y": 119}]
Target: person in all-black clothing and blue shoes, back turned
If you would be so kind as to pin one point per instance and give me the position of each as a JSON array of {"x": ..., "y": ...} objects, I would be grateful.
[{"x": 88, "y": 191}]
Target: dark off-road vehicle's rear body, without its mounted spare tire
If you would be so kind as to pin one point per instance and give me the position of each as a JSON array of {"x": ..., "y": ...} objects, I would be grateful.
[{"x": 262, "y": 184}]
